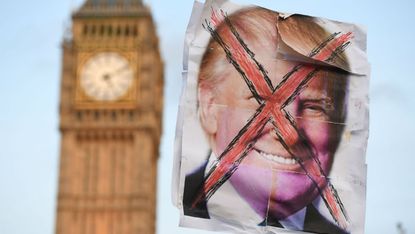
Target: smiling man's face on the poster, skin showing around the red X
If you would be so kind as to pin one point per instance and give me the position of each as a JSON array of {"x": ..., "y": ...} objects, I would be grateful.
[{"x": 269, "y": 178}]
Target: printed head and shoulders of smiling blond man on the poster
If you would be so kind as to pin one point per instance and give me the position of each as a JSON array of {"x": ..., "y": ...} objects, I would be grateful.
[{"x": 281, "y": 178}]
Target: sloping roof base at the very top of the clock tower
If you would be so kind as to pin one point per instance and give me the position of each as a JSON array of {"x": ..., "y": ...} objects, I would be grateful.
[{"x": 111, "y": 8}]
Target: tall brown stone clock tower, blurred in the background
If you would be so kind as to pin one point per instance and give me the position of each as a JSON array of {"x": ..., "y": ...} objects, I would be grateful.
[{"x": 110, "y": 120}]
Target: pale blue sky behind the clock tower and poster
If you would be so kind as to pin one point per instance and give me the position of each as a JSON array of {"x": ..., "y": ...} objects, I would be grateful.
[{"x": 30, "y": 58}]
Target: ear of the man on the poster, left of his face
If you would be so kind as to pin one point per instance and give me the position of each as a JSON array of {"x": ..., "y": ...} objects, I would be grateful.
[{"x": 208, "y": 111}]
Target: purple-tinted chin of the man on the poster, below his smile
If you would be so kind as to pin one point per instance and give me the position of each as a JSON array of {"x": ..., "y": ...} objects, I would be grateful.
[{"x": 277, "y": 194}]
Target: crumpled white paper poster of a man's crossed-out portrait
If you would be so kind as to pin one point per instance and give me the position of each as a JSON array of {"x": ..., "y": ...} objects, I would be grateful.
[{"x": 273, "y": 122}]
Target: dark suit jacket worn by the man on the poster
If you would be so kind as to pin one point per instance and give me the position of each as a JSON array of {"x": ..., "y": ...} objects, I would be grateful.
[{"x": 314, "y": 221}]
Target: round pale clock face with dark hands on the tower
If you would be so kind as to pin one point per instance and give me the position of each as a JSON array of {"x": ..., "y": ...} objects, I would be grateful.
[{"x": 106, "y": 76}]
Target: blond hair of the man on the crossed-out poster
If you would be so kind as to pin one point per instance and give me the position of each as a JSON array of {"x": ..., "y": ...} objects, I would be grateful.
[{"x": 262, "y": 29}]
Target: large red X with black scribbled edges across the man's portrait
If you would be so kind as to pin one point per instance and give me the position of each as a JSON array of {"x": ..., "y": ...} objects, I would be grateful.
[{"x": 272, "y": 102}]
